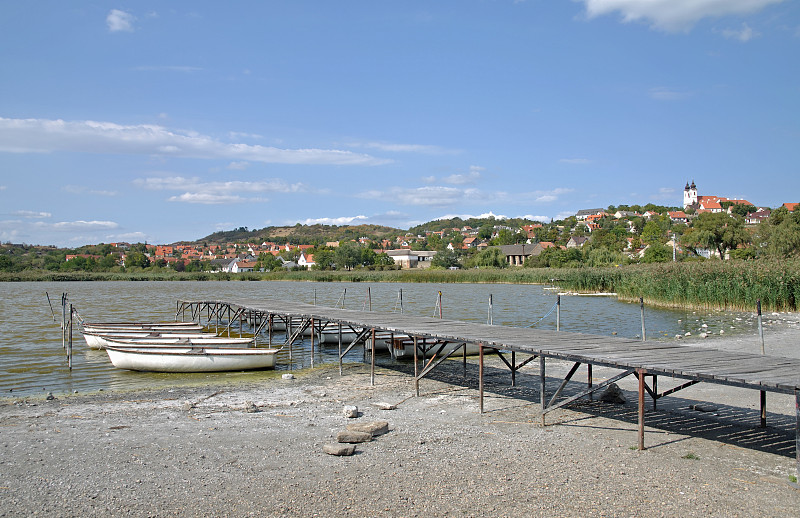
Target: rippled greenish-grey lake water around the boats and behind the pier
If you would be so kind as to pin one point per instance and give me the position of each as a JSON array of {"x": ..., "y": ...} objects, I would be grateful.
[{"x": 32, "y": 361}]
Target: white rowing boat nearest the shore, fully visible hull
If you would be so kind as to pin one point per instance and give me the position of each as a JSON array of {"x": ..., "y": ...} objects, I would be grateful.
[{"x": 191, "y": 359}]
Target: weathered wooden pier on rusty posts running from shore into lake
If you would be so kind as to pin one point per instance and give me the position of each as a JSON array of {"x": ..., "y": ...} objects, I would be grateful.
[{"x": 644, "y": 360}]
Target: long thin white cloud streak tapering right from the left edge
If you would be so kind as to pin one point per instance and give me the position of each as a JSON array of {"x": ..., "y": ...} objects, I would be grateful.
[{"x": 43, "y": 136}]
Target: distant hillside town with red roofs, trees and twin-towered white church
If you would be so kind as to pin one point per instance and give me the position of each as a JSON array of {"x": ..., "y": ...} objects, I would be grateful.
[{"x": 704, "y": 227}]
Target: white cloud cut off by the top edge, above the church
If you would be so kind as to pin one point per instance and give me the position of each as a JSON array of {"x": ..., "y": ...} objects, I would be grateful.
[{"x": 674, "y": 15}]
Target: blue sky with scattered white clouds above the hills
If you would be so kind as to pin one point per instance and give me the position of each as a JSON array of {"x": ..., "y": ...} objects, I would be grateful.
[{"x": 165, "y": 121}]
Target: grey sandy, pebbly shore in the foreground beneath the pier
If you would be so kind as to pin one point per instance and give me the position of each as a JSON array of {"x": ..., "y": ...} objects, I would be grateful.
[{"x": 206, "y": 452}]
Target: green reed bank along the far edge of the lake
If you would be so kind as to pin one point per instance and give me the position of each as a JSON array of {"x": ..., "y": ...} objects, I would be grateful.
[{"x": 735, "y": 285}]
